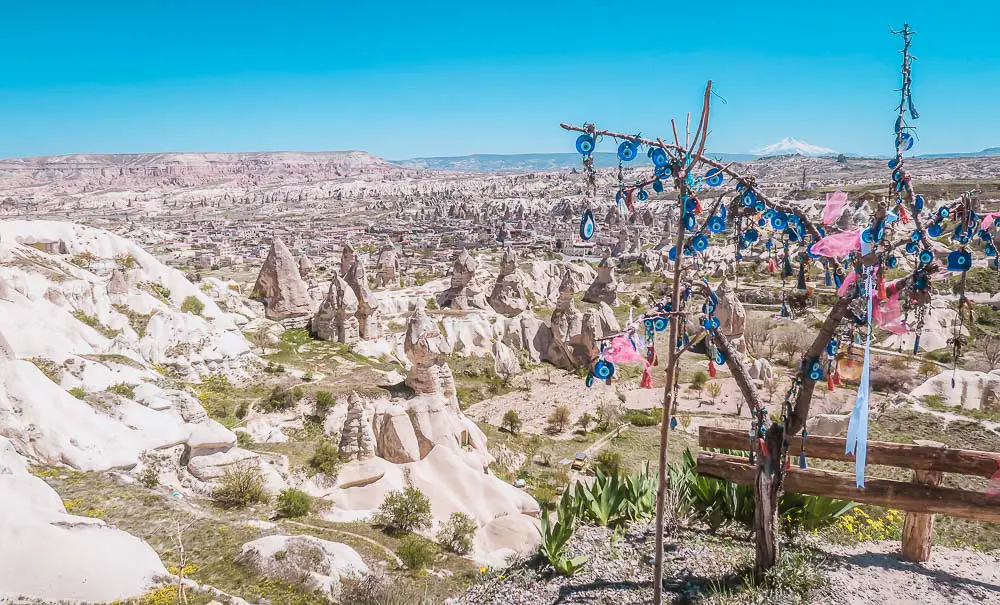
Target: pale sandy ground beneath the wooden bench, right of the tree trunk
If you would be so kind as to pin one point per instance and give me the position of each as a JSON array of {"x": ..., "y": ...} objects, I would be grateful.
[{"x": 873, "y": 574}]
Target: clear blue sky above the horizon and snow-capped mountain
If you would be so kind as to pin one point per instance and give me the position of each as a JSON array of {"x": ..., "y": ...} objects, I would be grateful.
[{"x": 484, "y": 77}]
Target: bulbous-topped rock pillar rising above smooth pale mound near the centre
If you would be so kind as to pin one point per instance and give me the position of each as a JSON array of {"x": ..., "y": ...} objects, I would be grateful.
[{"x": 426, "y": 348}]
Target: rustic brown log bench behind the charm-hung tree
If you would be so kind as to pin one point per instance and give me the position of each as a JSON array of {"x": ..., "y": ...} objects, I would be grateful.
[{"x": 921, "y": 498}]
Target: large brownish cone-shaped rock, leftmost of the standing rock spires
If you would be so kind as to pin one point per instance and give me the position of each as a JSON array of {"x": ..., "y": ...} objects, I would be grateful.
[{"x": 279, "y": 284}]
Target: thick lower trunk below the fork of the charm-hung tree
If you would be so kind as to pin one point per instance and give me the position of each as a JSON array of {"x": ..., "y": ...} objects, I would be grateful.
[{"x": 767, "y": 490}]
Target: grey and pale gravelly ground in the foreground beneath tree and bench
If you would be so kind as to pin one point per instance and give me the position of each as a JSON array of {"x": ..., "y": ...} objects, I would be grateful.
[{"x": 703, "y": 568}]
